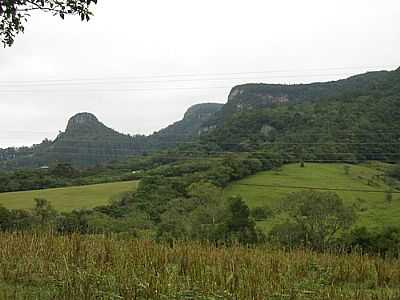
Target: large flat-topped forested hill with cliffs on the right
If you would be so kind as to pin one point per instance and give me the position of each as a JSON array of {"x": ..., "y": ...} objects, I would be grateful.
[{"x": 353, "y": 119}]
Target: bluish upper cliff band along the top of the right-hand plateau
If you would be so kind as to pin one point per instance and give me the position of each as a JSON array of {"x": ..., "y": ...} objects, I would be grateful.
[{"x": 254, "y": 96}]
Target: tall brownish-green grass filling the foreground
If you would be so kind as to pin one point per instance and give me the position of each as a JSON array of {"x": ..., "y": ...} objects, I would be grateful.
[{"x": 45, "y": 266}]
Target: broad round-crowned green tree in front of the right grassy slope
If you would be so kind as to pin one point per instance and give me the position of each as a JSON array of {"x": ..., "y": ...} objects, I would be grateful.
[{"x": 316, "y": 219}]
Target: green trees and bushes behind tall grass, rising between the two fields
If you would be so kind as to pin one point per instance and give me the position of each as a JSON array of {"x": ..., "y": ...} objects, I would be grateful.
[{"x": 183, "y": 200}]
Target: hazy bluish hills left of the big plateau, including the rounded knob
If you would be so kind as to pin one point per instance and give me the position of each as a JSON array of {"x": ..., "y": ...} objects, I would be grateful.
[{"x": 86, "y": 141}]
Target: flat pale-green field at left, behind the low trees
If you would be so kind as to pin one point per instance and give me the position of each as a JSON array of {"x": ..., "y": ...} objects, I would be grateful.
[{"x": 70, "y": 198}]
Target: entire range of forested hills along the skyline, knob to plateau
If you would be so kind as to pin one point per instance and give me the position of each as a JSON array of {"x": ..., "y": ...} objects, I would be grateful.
[{"x": 353, "y": 119}]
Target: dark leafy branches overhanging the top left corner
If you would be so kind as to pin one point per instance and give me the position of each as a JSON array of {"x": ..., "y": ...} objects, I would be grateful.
[{"x": 14, "y": 13}]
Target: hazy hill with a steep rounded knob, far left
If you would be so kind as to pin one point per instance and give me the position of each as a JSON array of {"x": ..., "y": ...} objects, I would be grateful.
[{"x": 86, "y": 141}]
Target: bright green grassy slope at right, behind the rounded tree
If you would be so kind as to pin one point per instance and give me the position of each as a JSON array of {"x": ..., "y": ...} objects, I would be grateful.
[{"x": 373, "y": 209}]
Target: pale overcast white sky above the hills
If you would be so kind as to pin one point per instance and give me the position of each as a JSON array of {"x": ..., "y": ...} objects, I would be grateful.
[{"x": 138, "y": 65}]
